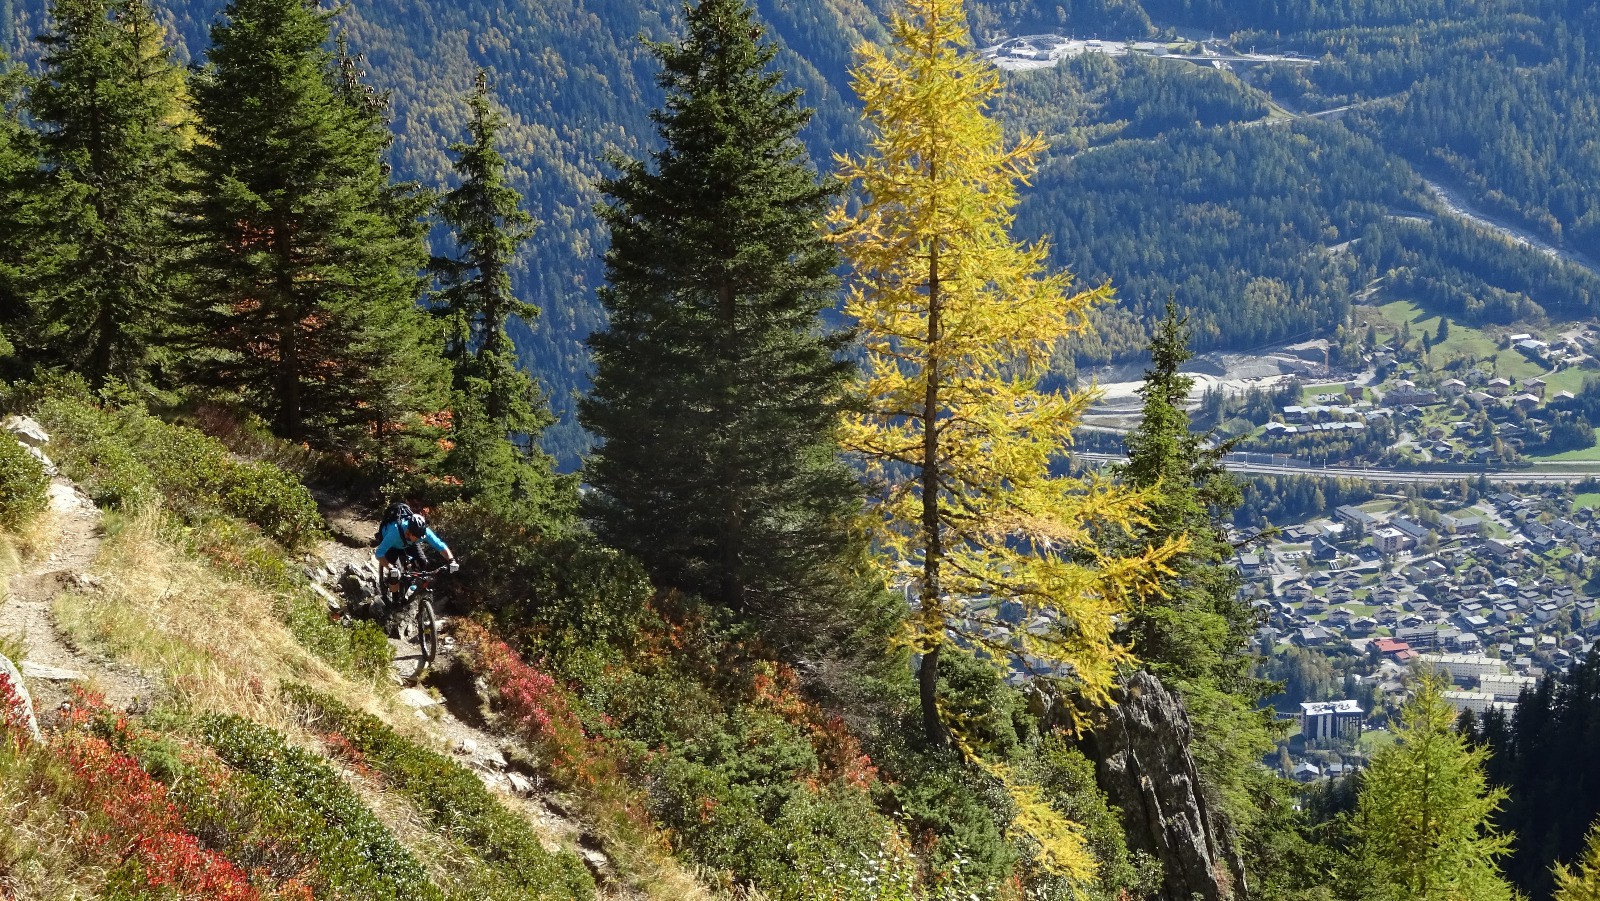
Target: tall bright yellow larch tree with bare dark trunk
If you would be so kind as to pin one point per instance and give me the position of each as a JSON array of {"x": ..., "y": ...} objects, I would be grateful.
[{"x": 959, "y": 322}]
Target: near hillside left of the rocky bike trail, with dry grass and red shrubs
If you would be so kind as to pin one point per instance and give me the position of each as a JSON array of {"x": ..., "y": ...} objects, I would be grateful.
[{"x": 210, "y": 734}]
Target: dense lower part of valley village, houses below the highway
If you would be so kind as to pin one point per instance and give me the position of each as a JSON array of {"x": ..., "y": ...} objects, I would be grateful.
[{"x": 1492, "y": 595}]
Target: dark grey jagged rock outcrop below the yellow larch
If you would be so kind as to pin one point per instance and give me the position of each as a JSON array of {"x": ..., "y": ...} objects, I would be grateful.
[{"x": 1143, "y": 764}]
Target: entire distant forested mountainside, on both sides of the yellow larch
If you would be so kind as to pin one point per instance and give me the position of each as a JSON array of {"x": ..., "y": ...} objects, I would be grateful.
[{"x": 1164, "y": 177}]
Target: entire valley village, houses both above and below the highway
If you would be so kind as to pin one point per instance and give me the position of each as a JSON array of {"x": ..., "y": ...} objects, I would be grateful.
[{"x": 1492, "y": 585}]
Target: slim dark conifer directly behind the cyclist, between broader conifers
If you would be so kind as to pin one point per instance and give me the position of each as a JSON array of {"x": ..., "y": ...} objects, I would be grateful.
[{"x": 492, "y": 398}]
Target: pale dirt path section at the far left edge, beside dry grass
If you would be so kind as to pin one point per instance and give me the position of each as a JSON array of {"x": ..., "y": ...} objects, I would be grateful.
[{"x": 50, "y": 662}]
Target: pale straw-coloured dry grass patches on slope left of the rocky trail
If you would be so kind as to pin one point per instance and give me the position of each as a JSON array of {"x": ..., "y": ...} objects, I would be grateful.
[{"x": 215, "y": 646}]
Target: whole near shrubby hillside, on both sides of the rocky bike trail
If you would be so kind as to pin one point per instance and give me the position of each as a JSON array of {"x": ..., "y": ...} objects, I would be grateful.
[{"x": 220, "y": 718}]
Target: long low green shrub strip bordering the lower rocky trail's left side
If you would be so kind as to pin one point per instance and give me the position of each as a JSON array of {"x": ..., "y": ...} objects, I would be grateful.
[{"x": 455, "y": 803}]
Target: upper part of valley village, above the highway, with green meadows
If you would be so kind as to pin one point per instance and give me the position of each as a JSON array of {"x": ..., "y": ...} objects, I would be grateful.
[{"x": 1471, "y": 402}]
